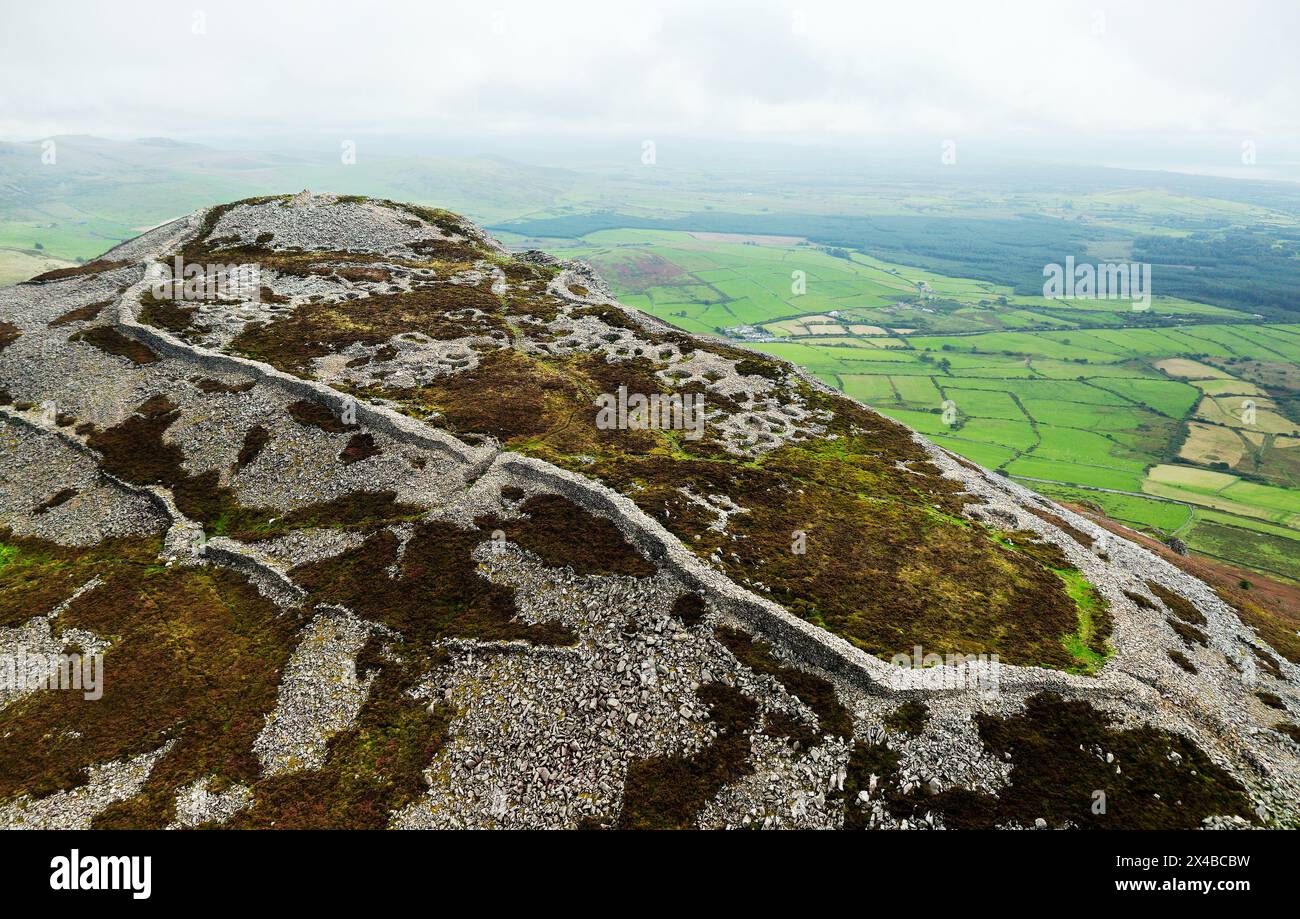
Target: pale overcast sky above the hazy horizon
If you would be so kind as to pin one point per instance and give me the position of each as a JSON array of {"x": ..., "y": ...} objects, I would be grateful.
[{"x": 804, "y": 72}]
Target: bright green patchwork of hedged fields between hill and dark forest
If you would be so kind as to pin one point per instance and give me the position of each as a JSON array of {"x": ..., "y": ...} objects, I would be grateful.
[{"x": 1177, "y": 421}]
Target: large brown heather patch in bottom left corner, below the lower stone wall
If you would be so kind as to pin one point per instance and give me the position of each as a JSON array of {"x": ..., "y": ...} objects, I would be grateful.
[{"x": 196, "y": 657}]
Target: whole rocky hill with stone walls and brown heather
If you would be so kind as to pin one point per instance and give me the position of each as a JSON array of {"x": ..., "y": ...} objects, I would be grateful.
[{"x": 328, "y": 511}]
